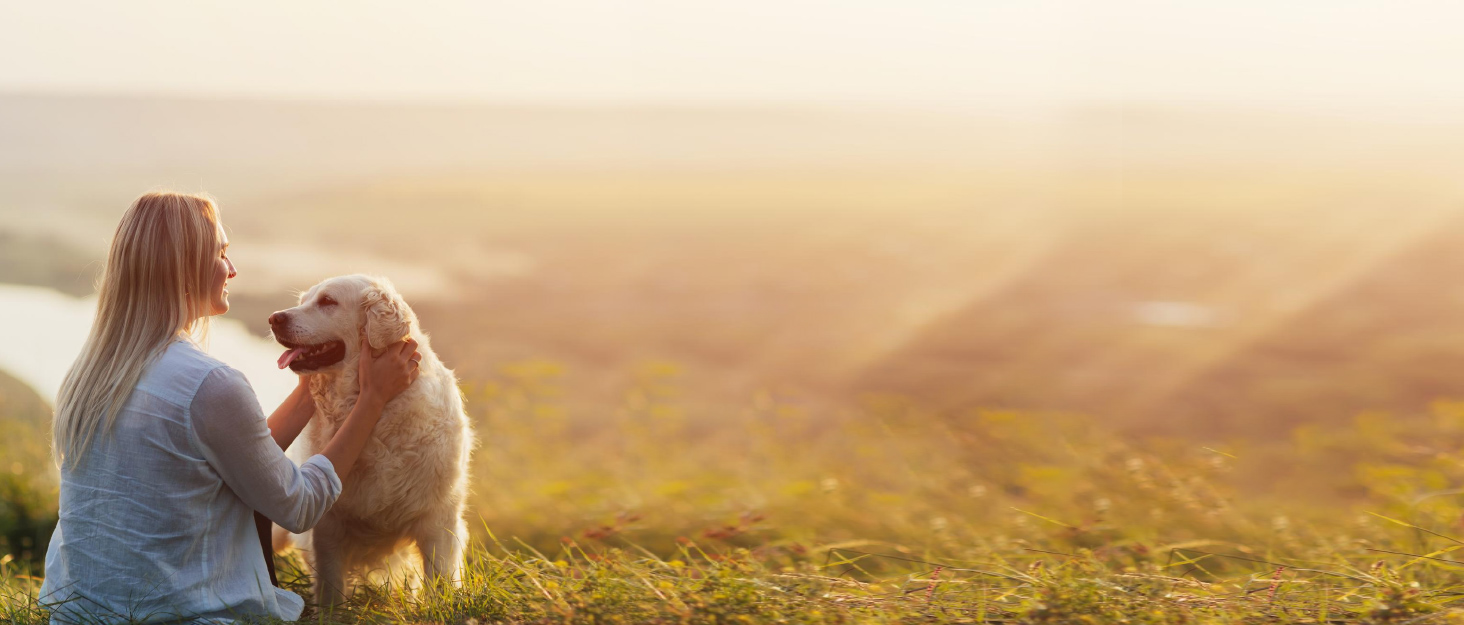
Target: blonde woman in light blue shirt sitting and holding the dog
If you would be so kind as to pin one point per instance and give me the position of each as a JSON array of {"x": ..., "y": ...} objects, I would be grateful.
[{"x": 165, "y": 452}]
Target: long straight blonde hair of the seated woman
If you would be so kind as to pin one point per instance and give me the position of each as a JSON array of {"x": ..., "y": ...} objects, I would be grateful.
[{"x": 156, "y": 288}]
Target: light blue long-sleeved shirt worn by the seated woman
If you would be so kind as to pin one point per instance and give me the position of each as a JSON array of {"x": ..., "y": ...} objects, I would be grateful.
[{"x": 157, "y": 519}]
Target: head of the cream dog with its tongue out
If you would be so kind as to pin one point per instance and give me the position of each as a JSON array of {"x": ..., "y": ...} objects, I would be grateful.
[{"x": 326, "y": 330}]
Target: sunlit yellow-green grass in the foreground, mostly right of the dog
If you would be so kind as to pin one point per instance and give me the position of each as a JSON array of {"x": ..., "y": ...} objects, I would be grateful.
[{"x": 784, "y": 512}]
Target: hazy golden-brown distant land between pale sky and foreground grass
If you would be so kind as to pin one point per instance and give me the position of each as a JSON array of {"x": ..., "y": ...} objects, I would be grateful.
[{"x": 1176, "y": 272}]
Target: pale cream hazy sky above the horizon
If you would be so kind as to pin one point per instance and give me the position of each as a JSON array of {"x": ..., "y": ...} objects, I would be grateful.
[{"x": 1323, "y": 55}]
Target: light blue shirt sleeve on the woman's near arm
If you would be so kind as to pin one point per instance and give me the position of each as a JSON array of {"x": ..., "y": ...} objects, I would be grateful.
[{"x": 235, "y": 438}]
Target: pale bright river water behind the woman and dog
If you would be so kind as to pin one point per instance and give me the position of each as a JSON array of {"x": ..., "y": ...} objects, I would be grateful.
[{"x": 48, "y": 330}]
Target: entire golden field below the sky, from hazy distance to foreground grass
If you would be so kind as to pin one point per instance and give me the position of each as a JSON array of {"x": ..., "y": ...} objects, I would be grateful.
[{"x": 800, "y": 367}]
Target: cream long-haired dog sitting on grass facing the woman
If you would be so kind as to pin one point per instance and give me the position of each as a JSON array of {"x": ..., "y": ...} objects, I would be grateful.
[{"x": 411, "y": 484}]
